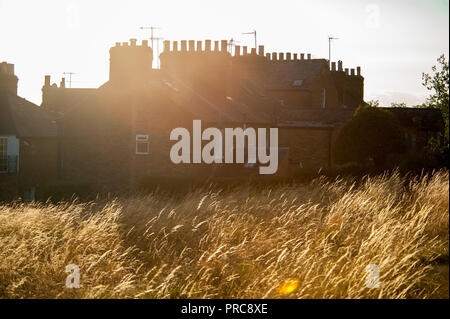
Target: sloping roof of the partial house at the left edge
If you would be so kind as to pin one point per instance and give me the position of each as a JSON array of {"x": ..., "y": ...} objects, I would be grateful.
[{"x": 24, "y": 119}]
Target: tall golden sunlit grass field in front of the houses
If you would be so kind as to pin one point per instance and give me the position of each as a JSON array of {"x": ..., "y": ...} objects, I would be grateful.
[{"x": 311, "y": 240}]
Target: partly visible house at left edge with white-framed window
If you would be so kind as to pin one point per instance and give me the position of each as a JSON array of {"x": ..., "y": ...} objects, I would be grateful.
[{"x": 28, "y": 144}]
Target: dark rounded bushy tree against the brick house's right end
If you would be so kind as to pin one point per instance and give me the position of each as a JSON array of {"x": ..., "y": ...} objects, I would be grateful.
[{"x": 372, "y": 133}]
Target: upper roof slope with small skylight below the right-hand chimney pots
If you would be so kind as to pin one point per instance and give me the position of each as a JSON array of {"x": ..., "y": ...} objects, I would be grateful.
[{"x": 293, "y": 75}]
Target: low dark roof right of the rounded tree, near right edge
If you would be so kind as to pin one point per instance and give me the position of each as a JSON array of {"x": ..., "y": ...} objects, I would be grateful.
[{"x": 429, "y": 119}]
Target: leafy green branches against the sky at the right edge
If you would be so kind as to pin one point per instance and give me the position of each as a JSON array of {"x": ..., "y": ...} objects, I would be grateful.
[{"x": 438, "y": 83}]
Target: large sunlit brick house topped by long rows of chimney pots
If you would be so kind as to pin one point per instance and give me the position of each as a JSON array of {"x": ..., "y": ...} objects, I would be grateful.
[{"x": 118, "y": 134}]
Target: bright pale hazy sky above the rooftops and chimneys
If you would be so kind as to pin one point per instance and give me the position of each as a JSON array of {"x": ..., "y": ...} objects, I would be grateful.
[{"x": 392, "y": 41}]
